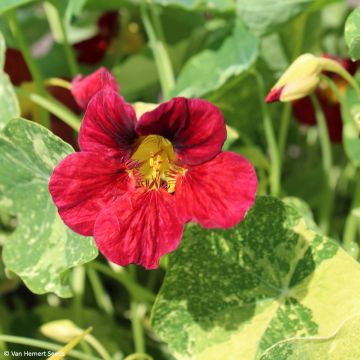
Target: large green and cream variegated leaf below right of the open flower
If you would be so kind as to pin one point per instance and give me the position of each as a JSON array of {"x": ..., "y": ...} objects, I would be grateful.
[{"x": 237, "y": 292}]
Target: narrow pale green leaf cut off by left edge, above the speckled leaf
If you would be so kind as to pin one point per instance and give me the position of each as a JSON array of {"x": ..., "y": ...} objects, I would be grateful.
[{"x": 9, "y": 106}]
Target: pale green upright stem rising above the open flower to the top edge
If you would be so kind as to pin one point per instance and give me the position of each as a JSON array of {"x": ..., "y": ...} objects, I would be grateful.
[{"x": 162, "y": 60}]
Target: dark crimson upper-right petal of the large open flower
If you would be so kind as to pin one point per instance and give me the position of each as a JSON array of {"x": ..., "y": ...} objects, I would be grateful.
[{"x": 194, "y": 126}]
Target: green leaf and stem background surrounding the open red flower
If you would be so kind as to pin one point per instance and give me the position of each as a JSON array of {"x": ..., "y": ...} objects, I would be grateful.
[{"x": 281, "y": 285}]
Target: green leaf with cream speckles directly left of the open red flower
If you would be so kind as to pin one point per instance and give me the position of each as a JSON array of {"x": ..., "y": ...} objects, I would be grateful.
[{"x": 42, "y": 248}]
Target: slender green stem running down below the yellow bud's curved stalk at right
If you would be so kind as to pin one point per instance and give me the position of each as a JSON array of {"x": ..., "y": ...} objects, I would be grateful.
[{"x": 327, "y": 163}]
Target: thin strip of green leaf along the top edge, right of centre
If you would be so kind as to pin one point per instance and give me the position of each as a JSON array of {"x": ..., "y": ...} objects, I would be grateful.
[{"x": 210, "y": 5}]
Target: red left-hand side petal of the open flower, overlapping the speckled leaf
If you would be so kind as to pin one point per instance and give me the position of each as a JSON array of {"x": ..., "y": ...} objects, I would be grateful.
[{"x": 82, "y": 184}]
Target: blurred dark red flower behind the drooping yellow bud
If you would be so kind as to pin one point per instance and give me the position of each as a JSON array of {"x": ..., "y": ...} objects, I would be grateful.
[{"x": 304, "y": 111}]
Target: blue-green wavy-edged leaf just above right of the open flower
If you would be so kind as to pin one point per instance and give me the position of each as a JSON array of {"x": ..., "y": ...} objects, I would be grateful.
[{"x": 209, "y": 70}]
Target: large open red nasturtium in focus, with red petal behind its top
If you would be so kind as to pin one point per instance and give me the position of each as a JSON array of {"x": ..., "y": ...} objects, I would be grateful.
[{"x": 136, "y": 182}]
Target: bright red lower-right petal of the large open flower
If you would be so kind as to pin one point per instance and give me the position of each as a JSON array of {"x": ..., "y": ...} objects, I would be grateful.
[{"x": 217, "y": 193}]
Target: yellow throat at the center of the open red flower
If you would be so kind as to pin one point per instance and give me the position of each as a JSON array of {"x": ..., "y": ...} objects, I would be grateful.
[{"x": 157, "y": 158}]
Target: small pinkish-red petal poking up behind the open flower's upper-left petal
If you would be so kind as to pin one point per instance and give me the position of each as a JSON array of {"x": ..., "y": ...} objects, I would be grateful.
[{"x": 84, "y": 88}]
